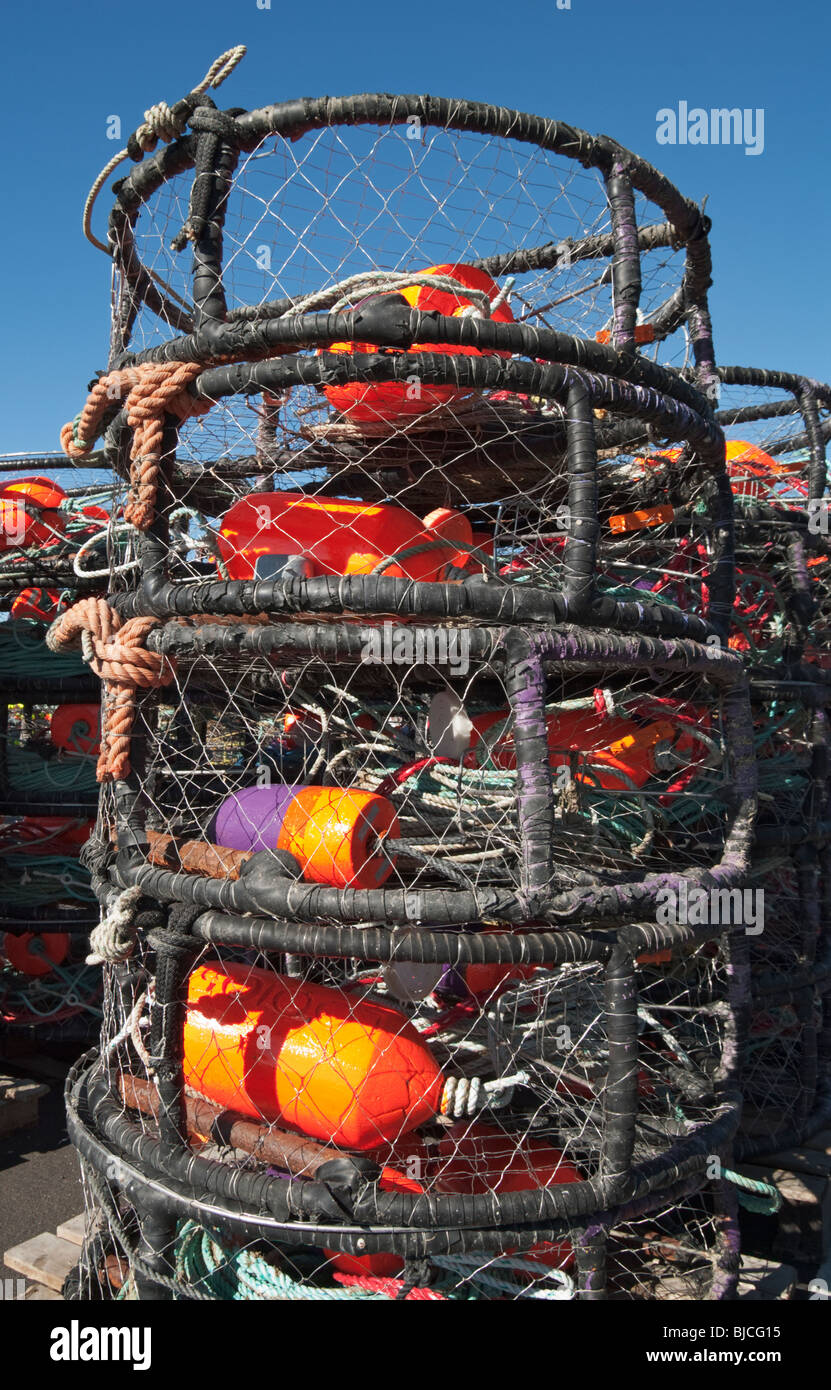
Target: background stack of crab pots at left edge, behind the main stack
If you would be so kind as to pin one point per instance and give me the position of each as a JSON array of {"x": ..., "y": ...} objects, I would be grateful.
[{"x": 49, "y": 719}]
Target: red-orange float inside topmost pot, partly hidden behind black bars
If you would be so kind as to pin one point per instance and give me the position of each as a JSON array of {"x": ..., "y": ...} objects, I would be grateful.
[{"x": 393, "y": 401}]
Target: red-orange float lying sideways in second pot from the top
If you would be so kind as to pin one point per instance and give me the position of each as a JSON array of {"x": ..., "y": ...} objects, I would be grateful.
[{"x": 265, "y": 534}]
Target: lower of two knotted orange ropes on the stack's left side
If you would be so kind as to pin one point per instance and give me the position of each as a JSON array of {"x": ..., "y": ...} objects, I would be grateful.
[{"x": 122, "y": 662}]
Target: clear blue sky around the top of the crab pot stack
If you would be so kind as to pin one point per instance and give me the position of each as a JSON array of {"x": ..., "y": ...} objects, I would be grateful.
[{"x": 608, "y": 66}]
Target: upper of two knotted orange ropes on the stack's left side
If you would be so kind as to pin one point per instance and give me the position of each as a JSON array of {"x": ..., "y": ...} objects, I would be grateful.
[{"x": 152, "y": 391}]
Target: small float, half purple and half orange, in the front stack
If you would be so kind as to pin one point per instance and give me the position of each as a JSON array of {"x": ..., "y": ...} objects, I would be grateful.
[{"x": 334, "y": 833}]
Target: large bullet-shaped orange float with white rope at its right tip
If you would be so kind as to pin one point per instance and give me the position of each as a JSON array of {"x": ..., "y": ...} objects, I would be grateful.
[{"x": 326, "y": 1063}]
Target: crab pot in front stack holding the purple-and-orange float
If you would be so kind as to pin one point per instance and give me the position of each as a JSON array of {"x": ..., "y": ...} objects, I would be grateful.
[{"x": 437, "y": 793}]
